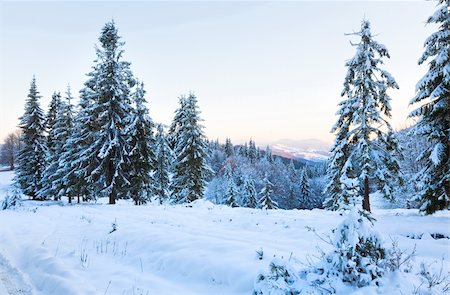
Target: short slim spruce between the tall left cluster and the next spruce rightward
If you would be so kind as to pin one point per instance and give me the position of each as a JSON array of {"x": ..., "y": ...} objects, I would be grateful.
[{"x": 163, "y": 160}]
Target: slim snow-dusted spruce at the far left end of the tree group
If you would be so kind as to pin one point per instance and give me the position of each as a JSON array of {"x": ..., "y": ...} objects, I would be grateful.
[{"x": 32, "y": 154}]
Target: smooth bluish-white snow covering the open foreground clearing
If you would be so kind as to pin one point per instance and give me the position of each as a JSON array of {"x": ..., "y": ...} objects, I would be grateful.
[{"x": 203, "y": 249}]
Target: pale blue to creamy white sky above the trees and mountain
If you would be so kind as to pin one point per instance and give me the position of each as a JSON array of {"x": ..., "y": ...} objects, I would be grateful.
[{"x": 266, "y": 70}]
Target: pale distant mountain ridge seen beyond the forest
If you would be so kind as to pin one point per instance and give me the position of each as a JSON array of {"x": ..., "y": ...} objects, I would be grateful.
[{"x": 308, "y": 149}]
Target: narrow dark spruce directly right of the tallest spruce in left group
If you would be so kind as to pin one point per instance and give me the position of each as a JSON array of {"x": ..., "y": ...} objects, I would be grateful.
[{"x": 141, "y": 150}]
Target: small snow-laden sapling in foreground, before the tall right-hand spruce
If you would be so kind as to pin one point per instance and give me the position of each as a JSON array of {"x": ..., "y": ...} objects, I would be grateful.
[{"x": 358, "y": 257}]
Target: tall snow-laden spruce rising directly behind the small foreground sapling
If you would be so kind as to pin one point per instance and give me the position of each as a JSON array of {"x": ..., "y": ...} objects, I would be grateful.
[{"x": 363, "y": 134}]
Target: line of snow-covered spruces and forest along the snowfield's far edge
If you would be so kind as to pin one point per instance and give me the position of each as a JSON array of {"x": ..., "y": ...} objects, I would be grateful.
[{"x": 107, "y": 146}]
